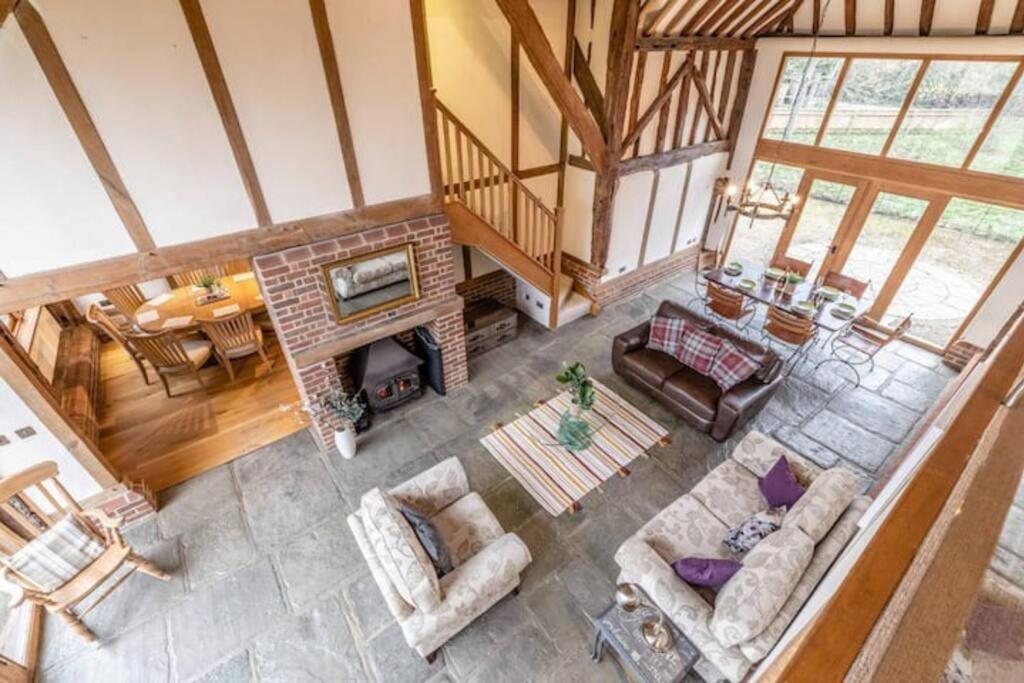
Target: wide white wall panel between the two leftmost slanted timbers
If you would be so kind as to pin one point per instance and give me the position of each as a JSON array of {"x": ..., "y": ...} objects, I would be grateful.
[{"x": 140, "y": 76}]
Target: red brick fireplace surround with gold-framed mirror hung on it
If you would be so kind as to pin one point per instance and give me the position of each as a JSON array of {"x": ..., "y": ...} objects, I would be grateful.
[{"x": 318, "y": 349}]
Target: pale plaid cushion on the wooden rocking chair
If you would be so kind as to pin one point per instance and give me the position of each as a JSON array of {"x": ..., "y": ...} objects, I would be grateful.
[{"x": 57, "y": 556}]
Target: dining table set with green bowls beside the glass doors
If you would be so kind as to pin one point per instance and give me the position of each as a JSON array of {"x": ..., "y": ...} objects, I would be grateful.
[{"x": 767, "y": 291}]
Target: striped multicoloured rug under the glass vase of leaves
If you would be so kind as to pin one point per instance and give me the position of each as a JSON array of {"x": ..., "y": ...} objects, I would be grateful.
[{"x": 554, "y": 476}]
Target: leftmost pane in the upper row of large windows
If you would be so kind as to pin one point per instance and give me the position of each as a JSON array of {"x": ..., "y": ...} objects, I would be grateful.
[{"x": 803, "y": 95}]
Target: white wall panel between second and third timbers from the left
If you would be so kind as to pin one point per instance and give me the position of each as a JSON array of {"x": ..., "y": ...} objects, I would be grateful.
[{"x": 273, "y": 67}]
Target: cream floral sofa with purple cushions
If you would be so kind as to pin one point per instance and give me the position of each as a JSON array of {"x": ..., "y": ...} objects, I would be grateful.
[{"x": 739, "y": 626}]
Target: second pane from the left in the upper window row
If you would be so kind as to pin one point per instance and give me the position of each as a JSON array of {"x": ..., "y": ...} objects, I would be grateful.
[{"x": 867, "y": 107}]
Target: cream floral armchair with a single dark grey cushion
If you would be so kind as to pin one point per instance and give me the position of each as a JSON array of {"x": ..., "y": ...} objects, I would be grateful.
[{"x": 488, "y": 562}]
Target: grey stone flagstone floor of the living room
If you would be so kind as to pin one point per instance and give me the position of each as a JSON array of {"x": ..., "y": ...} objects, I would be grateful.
[{"x": 268, "y": 583}]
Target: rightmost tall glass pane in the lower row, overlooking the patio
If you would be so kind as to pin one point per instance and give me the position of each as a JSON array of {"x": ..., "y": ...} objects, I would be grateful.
[{"x": 968, "y": 247}]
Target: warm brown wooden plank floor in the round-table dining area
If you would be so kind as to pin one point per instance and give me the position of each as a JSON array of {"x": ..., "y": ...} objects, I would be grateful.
[{"x": 164, "y": 442}]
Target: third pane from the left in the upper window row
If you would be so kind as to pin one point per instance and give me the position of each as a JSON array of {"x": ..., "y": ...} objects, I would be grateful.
[{"x": 950, "y": 110}]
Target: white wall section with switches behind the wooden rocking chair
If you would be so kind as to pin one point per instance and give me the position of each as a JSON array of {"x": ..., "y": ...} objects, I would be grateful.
[{"x": 24, "y": 453}]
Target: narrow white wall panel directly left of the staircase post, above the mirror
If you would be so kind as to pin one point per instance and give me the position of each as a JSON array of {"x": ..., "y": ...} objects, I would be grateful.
[{"x": 377, "y": 62}]
